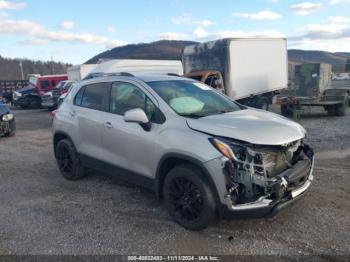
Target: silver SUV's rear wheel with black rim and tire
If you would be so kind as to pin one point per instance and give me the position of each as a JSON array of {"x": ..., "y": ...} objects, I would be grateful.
[{"x": 67, "y": 160}]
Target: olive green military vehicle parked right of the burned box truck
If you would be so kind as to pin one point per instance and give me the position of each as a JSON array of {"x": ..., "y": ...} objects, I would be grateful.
[{"x": 311, "y": 86}]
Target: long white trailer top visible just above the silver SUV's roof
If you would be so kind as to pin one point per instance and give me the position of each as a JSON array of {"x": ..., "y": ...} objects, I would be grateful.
[{"x": 139, "y": 66}]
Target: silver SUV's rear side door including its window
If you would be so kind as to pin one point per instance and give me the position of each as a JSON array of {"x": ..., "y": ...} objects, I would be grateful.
[{"x": 89, "y": 104}]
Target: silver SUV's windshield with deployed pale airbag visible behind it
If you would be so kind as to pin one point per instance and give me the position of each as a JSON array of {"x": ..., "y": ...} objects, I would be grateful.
[{"x": 192, "y": 99}]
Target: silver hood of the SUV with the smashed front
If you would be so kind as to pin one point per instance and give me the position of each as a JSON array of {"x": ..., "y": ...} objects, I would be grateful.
[{"x": 250, "y": 125}]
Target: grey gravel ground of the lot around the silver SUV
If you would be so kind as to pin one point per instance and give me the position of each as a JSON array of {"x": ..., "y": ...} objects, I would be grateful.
[{"x": 41, "y": 213}]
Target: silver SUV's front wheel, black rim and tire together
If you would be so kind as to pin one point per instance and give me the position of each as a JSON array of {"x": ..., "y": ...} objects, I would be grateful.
[{"x": 188, "y": 198}]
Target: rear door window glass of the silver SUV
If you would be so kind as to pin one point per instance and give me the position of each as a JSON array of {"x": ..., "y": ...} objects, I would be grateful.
[{"x": 93, "y": 96}]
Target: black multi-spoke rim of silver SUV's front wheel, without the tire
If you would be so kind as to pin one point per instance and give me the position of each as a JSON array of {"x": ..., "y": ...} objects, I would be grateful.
[{"x": 185, "y": 198}]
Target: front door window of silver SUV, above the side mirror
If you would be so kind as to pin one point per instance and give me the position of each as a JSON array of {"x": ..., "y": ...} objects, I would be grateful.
[{"x": 126, "y": 96}]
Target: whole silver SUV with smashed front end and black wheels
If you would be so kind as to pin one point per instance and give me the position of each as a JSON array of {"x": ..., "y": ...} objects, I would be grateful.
[{"x": 204, "y": 154}]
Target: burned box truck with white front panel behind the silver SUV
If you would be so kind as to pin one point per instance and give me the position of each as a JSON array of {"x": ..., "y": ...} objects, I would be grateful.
[{"x": 250, "y": 70}]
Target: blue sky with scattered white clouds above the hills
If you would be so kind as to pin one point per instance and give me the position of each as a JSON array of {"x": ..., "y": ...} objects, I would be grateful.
[{"x": 75, "y": 30}]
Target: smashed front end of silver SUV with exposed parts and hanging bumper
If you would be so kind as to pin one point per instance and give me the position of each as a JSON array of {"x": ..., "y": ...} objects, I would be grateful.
[{"x": 246, "y": 192}]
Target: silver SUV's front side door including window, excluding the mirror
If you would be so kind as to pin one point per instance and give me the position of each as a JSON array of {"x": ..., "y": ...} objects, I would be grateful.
[{"x": 128, "y": 145}]
